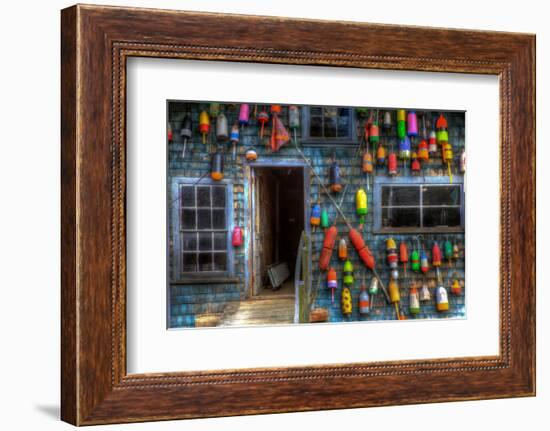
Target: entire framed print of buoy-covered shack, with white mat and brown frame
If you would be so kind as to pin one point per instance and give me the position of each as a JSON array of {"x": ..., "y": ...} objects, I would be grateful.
[{"x": 257, "y": 224}]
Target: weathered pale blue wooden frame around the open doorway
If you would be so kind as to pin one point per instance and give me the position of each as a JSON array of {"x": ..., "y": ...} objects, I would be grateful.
[{"x": 250, "y": 208}]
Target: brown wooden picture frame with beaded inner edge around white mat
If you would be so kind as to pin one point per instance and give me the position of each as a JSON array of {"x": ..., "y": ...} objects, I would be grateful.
[{"x": 96, "y": 41}]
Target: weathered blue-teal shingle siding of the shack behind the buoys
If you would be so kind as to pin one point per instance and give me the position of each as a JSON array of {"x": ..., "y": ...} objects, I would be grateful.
[{"x": 186, "y": 301}]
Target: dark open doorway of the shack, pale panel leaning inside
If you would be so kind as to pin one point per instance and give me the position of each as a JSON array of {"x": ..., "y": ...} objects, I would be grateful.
[{"x": 279, "y": 217}]
